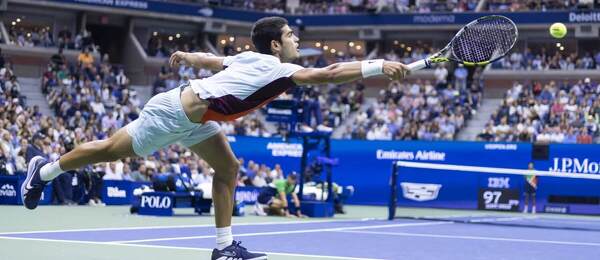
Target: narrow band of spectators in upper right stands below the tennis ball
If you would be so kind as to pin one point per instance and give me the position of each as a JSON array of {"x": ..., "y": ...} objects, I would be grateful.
[{"x": 546, "y": 60}]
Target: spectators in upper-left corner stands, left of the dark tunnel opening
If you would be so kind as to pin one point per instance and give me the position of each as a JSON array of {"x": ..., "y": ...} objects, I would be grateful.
[{"x": 43, "y": 37}]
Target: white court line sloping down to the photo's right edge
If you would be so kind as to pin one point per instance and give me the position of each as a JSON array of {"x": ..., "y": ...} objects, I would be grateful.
[{"x": 474, "y": 238}]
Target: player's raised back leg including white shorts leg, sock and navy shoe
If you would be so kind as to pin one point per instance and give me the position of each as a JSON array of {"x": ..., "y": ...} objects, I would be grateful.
[{"x": 159, "y": 124}]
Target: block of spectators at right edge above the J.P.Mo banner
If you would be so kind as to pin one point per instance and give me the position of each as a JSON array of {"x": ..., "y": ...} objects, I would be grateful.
[{"x": 564, "y": 112}]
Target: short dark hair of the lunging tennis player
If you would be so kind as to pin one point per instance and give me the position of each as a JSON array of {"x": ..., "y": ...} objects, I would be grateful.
[{"x": 266, "y": 30}]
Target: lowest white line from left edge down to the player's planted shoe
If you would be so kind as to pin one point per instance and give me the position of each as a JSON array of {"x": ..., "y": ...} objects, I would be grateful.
[{"x": 177, "y": 248}]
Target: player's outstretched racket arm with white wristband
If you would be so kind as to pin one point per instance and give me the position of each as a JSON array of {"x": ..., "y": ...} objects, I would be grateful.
[{"x": 350, "y": 71}]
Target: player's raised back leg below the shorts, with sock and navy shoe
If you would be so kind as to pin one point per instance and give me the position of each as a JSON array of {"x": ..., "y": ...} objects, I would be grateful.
[{"x": 40, "y": 172}]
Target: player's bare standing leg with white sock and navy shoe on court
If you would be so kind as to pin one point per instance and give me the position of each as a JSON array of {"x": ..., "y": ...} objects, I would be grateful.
[{"x": 218, "y": 154}]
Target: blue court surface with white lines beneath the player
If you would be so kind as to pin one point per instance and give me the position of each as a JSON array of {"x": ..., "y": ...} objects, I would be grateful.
[{"x": 348, "y": 238}]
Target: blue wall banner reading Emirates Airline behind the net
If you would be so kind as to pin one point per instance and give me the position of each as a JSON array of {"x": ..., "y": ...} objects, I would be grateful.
[{"x": 367, "y": 165}]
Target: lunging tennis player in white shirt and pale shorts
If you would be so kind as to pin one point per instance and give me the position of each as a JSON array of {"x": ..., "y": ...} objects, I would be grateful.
[{"x": 187, "y": 115}]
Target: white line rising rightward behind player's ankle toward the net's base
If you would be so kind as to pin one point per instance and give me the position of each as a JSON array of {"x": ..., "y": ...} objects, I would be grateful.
[{"x": 286, "y": 232}]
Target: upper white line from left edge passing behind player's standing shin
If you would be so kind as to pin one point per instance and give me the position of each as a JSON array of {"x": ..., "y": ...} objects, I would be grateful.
[{"x": 180, "y": 226}]
